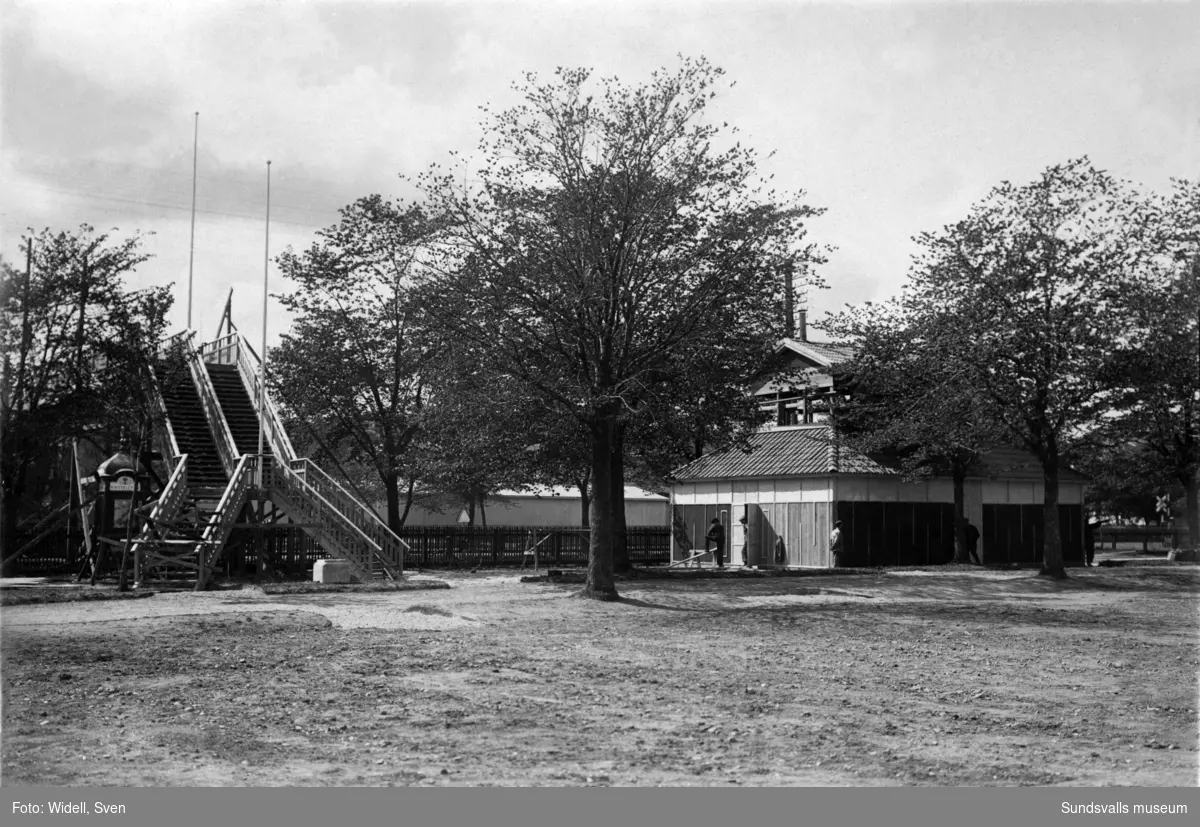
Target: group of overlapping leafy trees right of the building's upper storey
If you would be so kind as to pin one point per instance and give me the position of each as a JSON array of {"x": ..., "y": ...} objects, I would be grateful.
[{"x": 1060, "y": 316}]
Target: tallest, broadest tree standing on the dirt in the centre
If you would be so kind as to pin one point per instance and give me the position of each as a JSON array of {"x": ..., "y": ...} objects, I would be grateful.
[{"x": 614, "y": 248}]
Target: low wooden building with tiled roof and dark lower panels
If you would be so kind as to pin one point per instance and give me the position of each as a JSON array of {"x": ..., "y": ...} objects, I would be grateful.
[{"x": 796, "y": 482}]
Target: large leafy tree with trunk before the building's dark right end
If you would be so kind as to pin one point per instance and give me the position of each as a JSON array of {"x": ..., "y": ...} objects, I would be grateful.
[{"x": 1021, "y": 311}]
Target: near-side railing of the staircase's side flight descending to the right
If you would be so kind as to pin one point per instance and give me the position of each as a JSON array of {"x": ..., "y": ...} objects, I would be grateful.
[{"x": 335, "y": 531}]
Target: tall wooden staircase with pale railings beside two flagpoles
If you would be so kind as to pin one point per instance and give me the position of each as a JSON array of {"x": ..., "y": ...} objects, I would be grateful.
[{"x": 212, "y": 429}]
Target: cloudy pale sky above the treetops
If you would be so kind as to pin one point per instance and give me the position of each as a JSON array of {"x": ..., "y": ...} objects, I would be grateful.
[{"x": 893, "y": 117}]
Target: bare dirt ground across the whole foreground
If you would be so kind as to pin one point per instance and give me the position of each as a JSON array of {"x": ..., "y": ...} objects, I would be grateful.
[{"x": 951, "y": 678}]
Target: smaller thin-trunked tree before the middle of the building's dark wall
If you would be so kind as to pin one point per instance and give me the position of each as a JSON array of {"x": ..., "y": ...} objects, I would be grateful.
[{"x": 910, "y": 398}]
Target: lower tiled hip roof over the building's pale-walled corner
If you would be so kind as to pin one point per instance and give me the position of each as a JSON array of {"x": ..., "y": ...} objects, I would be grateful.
[{"x": 788, "y": 452}]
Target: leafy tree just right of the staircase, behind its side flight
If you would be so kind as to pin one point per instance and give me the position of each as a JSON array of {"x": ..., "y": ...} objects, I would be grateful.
[{"x": 358, "y": 346}]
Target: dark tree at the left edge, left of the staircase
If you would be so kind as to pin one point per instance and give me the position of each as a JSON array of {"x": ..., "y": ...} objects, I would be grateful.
[{"x": 68, "y": 314}]
